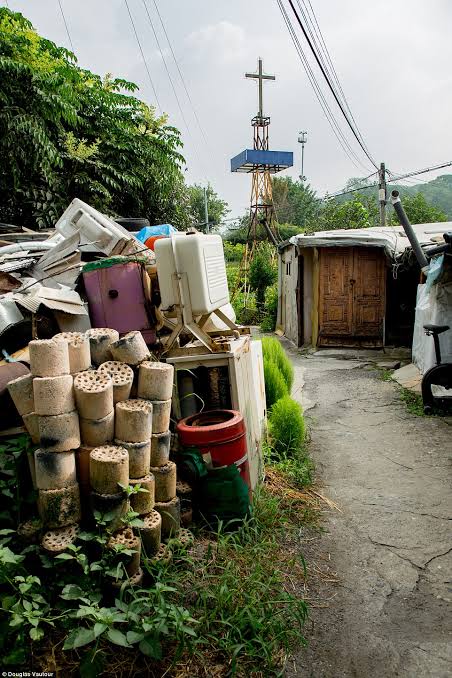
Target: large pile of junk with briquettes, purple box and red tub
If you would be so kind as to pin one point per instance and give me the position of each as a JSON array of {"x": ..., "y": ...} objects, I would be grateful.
[{"x": 123, "y": 362}]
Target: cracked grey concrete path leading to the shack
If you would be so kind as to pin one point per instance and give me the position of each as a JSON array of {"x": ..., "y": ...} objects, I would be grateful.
[{"x": 390, "y": 472}]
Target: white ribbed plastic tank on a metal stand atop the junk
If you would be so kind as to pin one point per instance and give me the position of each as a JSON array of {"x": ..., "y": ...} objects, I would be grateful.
[{"x": 201, "y": 257}]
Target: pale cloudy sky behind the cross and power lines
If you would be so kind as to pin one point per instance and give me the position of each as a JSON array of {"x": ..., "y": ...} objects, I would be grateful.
[{"x": 393, "y": 59}]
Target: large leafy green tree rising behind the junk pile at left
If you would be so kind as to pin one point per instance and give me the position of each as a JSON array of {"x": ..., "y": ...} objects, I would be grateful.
[{"x": 66, "y": 132}]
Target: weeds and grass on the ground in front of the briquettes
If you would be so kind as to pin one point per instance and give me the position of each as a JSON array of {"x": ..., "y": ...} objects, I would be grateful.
[{"x": 221, "y": 600}]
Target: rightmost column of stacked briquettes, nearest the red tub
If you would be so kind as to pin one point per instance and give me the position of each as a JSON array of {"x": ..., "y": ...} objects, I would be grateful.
[{"x": 155, "y": 385}]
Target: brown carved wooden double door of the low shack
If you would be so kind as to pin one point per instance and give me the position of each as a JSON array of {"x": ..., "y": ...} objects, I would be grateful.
[{"x": 351, "y": 296}]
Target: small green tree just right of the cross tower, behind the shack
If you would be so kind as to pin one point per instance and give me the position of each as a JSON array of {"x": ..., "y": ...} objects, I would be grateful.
[{"x": 295, "y": 202}]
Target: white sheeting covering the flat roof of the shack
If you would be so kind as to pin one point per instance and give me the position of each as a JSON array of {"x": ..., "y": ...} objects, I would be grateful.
[{"x": 392, "y": 238}]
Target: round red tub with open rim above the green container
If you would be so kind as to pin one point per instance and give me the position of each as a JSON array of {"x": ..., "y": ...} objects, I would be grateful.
[{"x": 220, "y": 433}]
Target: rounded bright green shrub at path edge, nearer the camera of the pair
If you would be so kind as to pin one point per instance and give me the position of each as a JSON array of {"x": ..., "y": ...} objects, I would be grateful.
[{"x": 286, "y": 427}]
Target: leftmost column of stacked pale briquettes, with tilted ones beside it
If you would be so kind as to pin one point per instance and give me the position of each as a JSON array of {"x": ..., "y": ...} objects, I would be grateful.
[{"x": 54, "y": 424}]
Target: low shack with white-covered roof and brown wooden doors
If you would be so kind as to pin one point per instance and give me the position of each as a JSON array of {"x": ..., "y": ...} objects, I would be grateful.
[{"x": 351, "y": 287}]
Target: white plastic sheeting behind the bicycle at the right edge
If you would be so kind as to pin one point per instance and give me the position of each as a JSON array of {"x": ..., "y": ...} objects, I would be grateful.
[{"x": 433, "y": 306}]
